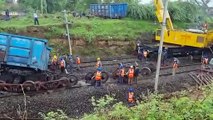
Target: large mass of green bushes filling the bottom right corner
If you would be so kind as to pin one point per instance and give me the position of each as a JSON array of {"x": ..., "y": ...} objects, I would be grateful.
[{"x": 156, "y": 108}]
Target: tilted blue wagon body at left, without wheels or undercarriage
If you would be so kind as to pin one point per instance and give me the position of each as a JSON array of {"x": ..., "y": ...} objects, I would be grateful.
[{"x": 24, "y": 52}]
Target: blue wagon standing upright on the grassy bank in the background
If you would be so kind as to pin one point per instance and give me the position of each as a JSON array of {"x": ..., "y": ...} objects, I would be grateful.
[{"x": 111, "y": 10}]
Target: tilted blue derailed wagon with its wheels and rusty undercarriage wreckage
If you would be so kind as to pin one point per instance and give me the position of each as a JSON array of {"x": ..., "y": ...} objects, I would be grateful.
[{"x": 24, "y": 61}]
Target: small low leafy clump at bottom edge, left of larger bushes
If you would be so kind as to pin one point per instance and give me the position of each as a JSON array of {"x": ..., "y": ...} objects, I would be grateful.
[{"x": 58, "y": 115}]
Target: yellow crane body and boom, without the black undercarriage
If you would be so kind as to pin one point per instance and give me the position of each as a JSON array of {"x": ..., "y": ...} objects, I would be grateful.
[{"x": 191, "y": 37}]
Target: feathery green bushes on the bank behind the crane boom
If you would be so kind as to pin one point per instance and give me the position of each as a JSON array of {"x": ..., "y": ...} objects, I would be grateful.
[{"x": 179, "y": 11}]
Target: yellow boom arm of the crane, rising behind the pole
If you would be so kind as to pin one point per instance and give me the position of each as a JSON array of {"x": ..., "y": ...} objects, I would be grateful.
[{"x": 159, "y": 13}]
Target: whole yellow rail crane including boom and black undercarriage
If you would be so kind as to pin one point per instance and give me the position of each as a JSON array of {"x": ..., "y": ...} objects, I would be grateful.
[{"x": 178, "y": 42}]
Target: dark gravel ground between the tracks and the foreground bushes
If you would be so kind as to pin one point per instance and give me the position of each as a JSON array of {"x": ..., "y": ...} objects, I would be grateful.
[{"x": 76, "y": 101}]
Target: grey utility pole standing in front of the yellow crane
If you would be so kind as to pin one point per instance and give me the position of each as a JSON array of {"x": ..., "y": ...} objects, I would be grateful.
[{"x": 161, "y": 45}]
